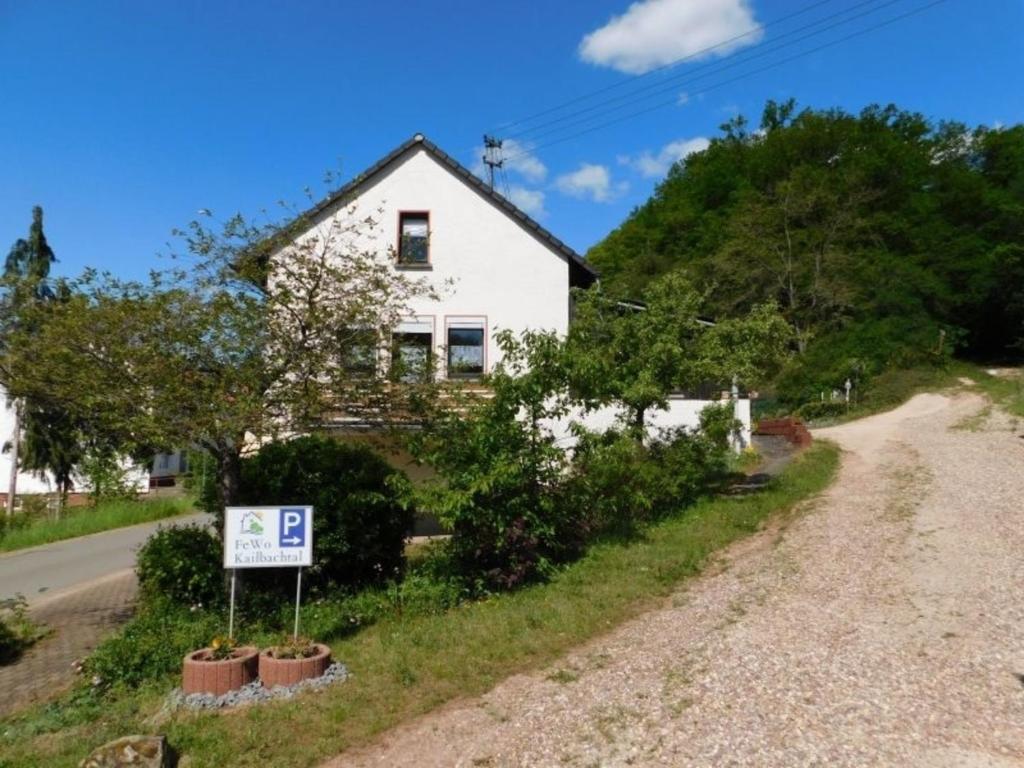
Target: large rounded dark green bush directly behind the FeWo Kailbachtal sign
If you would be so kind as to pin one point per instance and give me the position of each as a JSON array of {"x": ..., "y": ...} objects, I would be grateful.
[{"x": 362, "y": 511}]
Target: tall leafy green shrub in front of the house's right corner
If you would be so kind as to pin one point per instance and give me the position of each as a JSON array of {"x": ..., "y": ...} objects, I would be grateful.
[{"x": 501, "y": 477}]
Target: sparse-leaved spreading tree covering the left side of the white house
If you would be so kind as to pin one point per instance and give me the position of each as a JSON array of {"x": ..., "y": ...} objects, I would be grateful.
[{"x": 245, "y": 343}]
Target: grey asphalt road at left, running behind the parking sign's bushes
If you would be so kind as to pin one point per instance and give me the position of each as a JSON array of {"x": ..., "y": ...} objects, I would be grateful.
[{"x": 40, "y": 573}]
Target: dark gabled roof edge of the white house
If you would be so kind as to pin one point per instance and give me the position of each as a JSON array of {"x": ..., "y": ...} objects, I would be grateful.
[{"x": 581, "y": 274}]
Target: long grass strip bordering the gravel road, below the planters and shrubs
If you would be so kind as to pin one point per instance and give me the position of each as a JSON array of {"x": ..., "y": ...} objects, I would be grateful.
[{"x": 407, "y": 664}]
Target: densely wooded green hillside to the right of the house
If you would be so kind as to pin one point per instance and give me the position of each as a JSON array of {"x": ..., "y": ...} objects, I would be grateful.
[{"x": 875, "y": 233}]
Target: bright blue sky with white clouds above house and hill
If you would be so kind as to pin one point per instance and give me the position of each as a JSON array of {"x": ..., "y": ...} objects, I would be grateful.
[{"x": 123, "y": 119}]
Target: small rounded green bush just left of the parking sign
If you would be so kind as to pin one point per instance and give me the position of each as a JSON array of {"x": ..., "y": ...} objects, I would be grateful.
[{"x": 184, "y": 566}]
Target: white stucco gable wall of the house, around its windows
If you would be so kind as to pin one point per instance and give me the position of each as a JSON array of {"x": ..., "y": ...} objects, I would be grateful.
[{"x": 485, "y": 267}]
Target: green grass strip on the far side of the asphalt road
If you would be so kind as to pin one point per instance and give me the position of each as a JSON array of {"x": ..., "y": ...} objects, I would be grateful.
[{"x": 82, "y": 521}]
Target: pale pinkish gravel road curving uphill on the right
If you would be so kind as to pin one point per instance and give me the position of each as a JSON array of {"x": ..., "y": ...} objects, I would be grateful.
[{"x": 882, "y": 627}]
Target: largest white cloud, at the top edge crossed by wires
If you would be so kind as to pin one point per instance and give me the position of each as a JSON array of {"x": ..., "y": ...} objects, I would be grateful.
[{"x": 653, "y": 33}]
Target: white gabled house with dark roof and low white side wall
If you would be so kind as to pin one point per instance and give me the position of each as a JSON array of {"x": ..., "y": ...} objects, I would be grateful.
[{"x": 493, "y": 267}]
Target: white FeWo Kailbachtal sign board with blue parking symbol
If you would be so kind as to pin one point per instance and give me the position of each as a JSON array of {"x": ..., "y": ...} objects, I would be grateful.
[{"x": 269, "y": 537}]
